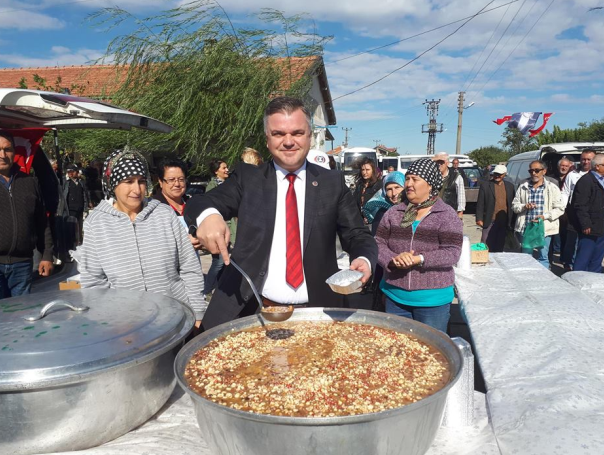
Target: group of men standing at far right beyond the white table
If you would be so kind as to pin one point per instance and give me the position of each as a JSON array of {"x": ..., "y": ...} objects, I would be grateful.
[{"x": 560, "y": 215}]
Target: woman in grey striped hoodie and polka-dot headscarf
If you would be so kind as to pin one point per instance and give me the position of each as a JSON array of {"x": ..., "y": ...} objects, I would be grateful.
[{"x": 136, "y": 243}]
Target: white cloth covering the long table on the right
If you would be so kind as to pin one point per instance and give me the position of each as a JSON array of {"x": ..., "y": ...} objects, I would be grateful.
[{"x": 539, "y": 342}]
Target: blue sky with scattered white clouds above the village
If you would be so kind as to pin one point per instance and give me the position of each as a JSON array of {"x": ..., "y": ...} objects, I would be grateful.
[{"x": 549, "y": 59}]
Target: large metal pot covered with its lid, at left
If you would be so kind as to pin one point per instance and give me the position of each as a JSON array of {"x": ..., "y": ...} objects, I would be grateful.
[{"x": 96, "y": 365}]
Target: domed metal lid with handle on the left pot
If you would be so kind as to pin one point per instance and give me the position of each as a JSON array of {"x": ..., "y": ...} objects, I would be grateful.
[{"x": 84, "y": 332}]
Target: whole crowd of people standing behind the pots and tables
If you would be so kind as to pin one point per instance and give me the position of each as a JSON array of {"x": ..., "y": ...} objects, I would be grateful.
[{"x": 278, "y": 220}]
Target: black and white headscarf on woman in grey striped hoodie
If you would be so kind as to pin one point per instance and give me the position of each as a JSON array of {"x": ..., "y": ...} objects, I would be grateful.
[{"x": 120, "y": 165}]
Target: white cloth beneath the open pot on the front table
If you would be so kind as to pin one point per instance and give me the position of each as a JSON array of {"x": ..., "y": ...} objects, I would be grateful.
[{"x": 174, "y": 431}]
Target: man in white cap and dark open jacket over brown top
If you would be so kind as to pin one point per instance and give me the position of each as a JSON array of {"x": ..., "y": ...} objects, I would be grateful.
[{"x": 494, "y": 209}]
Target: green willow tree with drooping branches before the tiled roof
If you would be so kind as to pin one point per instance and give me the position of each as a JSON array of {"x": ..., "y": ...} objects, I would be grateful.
[{"x": 193, "y": 68}]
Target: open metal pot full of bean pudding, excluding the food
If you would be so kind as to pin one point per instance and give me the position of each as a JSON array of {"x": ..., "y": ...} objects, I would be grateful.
[{"x": 408, "y": 430}]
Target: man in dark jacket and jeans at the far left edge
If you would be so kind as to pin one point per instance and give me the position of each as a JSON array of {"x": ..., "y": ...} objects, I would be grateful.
[{"x": 23, "y": 225}]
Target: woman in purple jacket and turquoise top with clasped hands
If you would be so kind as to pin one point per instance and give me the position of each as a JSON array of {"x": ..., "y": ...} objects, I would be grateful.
[{"x": 419, "y": 241}]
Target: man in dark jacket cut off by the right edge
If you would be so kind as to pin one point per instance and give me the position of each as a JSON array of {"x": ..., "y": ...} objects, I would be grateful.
[{"x": 587, "y": 217}]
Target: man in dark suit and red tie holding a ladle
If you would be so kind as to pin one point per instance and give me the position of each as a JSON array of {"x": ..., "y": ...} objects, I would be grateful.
[{"x": 289, "y": 212}]
